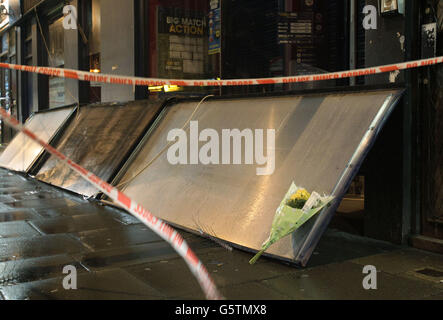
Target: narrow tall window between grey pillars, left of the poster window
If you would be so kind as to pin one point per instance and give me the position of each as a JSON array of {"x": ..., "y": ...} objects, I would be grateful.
[{"x": 56, "y": 59}]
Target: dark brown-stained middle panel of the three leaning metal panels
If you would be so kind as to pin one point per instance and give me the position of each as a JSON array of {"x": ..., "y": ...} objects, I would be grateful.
[{"x": 100, "y": 139}]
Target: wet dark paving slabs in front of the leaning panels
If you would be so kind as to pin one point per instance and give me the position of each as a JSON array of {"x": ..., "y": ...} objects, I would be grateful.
[{"x": 43, "y": 229}]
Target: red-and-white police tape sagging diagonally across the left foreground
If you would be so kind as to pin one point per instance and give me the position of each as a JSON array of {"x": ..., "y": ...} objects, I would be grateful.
[{"x": 157, "y": 225}]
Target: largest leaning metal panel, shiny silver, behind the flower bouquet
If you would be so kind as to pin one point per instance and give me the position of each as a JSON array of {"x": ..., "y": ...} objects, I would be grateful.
[{"x": 316, "y": 138}]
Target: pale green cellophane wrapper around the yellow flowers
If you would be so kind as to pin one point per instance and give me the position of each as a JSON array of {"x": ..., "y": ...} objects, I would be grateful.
[{"x": 287, "y": 219}]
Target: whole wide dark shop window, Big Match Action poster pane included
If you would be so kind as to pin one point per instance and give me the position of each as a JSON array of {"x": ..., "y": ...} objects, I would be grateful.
[{"x": 247, "y": 39}]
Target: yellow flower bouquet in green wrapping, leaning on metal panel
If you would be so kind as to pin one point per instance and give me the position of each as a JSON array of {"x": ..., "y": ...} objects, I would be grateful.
[{"x": 298, "y": 207}]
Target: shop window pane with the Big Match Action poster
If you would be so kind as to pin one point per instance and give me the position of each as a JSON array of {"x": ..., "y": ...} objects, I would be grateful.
[{"x": 179, "y": 42}]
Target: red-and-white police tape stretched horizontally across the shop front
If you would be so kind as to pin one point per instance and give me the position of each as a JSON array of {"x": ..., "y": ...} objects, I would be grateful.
[{"x": 138, "y": 81}]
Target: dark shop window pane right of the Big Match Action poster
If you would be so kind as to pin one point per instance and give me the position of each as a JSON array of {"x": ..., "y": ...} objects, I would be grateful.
[{"x": 284, "y": 38}]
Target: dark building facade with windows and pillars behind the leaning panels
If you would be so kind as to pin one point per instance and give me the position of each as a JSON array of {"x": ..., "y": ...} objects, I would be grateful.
[{"x": 228, "y": 39}]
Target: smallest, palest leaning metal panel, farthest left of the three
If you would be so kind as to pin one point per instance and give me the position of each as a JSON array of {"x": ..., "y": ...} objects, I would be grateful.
[{"x": 22, "y": 152}]
